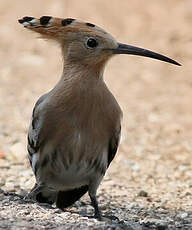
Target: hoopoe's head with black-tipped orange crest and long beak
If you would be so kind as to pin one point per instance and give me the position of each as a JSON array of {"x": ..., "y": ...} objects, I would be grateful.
[{"x": 84, "y": 42}]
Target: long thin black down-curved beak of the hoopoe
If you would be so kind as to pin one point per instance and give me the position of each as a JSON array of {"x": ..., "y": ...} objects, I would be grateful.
[{"x": 133, "y": 50}]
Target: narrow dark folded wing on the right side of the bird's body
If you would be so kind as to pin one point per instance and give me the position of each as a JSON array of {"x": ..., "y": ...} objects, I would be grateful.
[{"x": 113, "y": 144}]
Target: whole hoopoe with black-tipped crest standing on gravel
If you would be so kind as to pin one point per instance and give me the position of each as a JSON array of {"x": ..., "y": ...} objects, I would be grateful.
[{"x": 75, "y": 128}]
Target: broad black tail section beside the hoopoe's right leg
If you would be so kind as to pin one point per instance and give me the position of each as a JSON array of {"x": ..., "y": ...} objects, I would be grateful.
[{"x": 67, "y": 198}]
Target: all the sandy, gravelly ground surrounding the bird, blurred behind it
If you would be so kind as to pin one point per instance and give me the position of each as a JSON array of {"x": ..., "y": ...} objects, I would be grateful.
[{"x": 149, "y": 184}]
